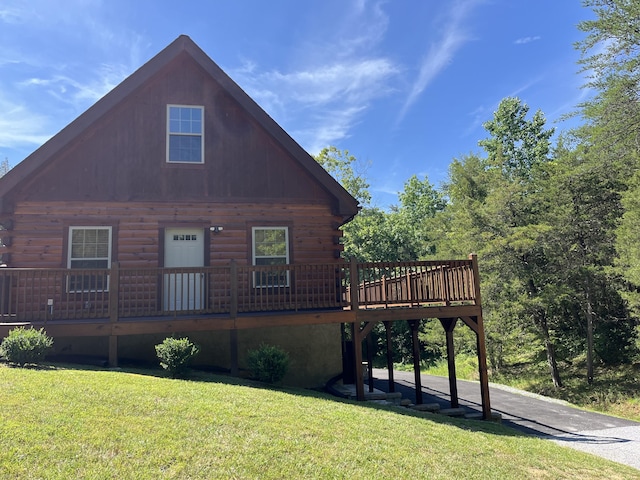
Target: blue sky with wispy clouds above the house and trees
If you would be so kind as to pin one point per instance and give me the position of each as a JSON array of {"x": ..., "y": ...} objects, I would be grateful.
[{"x": 404, "y": 85}]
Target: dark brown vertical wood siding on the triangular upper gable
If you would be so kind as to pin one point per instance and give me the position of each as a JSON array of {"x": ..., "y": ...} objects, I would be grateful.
[{"x": 122, "y": 155}]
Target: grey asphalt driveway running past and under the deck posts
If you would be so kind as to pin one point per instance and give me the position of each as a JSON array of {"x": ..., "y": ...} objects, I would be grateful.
[{"x": 609, "y": 437}]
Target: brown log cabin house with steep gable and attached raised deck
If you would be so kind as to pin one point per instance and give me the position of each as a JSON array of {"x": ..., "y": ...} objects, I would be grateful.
[{"x": 176, "y": 205}]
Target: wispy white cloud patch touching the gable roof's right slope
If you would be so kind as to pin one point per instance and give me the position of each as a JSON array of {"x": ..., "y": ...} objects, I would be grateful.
[{"x": 337, "y": 87}]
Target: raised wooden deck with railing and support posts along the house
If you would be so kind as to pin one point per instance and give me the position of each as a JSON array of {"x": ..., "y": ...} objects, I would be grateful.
[{"x": 130, "y": 301}]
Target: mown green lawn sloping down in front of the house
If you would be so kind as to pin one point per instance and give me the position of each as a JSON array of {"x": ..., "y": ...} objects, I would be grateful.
[{"x": 68, "y": 422}]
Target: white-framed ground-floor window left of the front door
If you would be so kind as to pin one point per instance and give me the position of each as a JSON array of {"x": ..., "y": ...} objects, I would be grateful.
[{"x": 89, "y": 248}]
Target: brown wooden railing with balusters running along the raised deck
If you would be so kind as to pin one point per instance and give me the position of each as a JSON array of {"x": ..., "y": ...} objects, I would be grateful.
[{"x": 50, "y": 294}]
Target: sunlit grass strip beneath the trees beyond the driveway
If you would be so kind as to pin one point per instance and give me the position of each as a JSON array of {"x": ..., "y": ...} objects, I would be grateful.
[{"x": 615, "y": 390}]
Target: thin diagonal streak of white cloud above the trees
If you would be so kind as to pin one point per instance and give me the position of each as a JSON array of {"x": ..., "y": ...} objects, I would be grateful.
[{"x": 440, "y": 54}]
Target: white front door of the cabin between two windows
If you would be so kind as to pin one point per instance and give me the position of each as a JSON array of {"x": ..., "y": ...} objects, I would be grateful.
[{"x": 183, "y": 247}]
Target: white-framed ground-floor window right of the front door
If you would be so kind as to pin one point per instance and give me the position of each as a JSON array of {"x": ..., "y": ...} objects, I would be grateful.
[{"x": 271, "y": 247}]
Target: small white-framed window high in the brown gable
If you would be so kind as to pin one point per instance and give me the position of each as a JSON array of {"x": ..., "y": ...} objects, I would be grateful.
[{"x": 185, "y": 139}]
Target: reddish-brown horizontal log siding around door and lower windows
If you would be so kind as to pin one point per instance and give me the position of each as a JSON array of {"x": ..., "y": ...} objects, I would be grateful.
[{"x": 40, "y": 230}]
